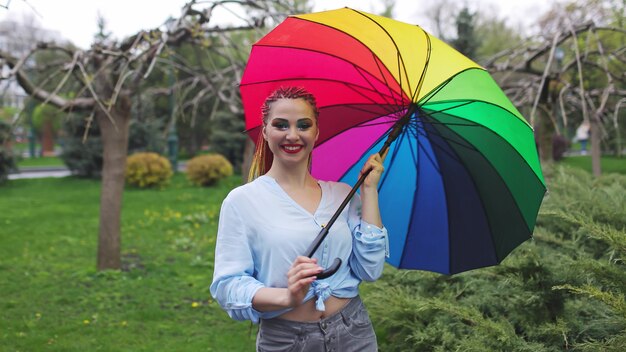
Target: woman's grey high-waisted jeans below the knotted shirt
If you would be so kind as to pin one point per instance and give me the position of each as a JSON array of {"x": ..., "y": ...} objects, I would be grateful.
[{"x": 347, "y": 330}]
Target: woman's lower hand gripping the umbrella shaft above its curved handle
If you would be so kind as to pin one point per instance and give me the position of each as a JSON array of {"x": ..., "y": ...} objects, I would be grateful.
[{"x": 302, "y": 273}]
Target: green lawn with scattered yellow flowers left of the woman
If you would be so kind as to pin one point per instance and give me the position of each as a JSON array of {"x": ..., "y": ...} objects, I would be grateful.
[{"x": 53, "y": 299}]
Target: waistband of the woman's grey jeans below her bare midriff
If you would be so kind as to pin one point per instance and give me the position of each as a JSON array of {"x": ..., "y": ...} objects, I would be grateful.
[{"x": 305, "y": 326}]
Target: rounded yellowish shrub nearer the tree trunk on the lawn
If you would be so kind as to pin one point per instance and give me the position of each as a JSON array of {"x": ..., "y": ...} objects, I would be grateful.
[{"x": 148, "y": 170}]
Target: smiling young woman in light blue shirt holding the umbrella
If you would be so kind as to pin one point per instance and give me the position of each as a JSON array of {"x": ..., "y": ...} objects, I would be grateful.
[{"x": 266, "y": 226}]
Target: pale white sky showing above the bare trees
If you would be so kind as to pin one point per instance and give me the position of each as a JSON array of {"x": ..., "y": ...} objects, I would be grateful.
[{"x": 75, "y": 20}]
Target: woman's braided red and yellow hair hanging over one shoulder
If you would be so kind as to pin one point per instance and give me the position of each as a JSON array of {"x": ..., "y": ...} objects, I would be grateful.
[{"x": 263, "y": 157}]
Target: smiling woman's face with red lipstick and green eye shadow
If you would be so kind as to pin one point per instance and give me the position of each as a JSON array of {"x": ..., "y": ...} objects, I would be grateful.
[{"x": 291, "y": 130}]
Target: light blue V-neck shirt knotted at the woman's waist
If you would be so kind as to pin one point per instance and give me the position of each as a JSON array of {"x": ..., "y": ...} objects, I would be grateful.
[{"x": 262, "y": 230}]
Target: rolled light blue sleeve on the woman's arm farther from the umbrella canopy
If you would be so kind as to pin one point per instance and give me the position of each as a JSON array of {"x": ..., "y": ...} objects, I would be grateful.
[{"x": 233, "y": 285}]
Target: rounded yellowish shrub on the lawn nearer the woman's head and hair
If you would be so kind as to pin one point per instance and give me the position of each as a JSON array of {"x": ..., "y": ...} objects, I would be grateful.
[{"x": 206, "y": 170}]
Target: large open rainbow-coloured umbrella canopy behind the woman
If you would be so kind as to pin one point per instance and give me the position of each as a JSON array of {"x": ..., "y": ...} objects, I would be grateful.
[{"x": 462, "y": 184}]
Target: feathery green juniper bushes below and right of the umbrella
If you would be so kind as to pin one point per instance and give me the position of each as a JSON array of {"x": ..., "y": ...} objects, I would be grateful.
[{"x": 563, "y": 290}]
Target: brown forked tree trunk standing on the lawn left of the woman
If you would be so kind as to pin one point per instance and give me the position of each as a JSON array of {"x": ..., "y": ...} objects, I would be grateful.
[{"x": 115, "y": 147}]
